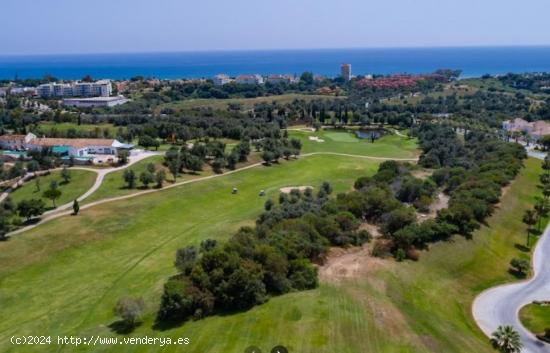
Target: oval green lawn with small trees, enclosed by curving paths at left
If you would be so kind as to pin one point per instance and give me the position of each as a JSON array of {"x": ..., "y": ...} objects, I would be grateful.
[{"x": 81, "y": 181}]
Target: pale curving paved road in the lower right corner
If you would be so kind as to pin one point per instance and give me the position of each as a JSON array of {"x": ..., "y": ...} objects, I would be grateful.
[{"x": 500, "y": 305}]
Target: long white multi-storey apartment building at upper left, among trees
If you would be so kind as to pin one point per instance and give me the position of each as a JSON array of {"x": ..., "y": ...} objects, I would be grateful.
[{"x": 102, "y": 88}]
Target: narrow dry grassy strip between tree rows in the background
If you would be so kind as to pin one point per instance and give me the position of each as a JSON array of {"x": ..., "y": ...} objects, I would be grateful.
[{"x": 246, "y": 103}]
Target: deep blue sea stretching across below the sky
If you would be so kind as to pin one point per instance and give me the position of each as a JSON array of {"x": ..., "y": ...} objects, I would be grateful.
[{"x": 473, "y": 61}]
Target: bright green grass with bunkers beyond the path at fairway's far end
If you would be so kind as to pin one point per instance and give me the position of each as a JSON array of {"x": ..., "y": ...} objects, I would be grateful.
[{"x": 391, "y": 146}]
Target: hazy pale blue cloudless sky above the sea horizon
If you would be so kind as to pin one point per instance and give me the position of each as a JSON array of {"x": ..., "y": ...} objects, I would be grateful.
[{"x": 81, "y": 26}]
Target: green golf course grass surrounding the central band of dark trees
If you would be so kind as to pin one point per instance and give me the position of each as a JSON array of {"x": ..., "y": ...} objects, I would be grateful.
[{"x": 65, "y": 276}]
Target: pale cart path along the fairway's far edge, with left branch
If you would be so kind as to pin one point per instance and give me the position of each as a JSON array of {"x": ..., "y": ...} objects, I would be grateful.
[{"x": 63, "y": 210}]
